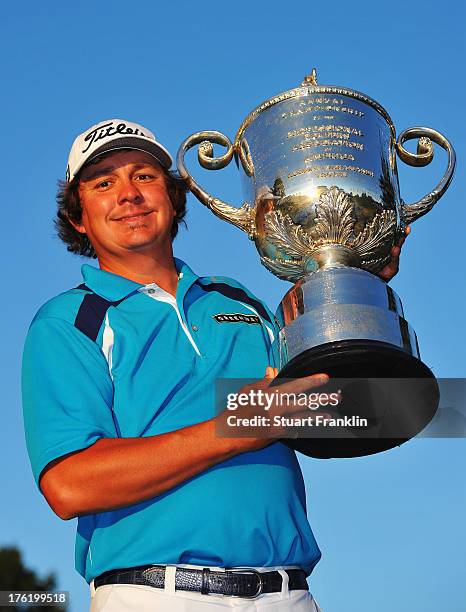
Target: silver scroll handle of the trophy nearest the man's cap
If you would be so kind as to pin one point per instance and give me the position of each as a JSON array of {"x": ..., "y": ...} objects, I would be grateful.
[{"x": 241, "y": 217}]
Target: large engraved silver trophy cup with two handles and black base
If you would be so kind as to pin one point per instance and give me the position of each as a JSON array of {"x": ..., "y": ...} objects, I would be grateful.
[{"x": 323, "y": 206}]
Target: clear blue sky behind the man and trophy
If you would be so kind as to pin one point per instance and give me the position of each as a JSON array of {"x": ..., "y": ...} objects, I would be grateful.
[{"x": 391, "y": 526}]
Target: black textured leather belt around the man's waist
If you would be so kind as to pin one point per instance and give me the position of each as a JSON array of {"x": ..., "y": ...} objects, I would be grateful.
[{"x": 247, "y": 582}]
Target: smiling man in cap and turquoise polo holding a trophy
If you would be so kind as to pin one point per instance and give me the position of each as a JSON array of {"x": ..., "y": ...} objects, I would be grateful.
[{"x": 118, "y": 386}]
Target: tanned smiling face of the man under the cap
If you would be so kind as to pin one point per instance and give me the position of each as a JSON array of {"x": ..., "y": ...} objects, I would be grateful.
[{"x": 125, "y": 205}]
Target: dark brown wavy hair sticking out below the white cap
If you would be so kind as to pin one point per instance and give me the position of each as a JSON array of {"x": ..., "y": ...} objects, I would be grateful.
[{"x": 69, "y": 209}]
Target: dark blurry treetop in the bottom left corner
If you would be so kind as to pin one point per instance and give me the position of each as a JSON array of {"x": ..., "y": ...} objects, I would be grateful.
[{"x": 15, "y": 576}]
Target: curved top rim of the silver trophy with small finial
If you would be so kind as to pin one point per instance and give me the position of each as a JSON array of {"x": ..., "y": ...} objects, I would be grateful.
[{"x": 309, "y": 86}]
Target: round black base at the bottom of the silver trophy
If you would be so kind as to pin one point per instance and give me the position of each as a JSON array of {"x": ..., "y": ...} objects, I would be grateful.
[{"x": 396, "y": 406}]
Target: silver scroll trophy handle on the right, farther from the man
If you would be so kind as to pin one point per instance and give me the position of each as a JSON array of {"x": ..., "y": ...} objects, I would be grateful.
[{"x": 424, "y": 155}]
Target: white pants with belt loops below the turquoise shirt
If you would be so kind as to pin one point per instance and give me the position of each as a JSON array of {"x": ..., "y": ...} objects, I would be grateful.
[{"x": 138, "y": 598}]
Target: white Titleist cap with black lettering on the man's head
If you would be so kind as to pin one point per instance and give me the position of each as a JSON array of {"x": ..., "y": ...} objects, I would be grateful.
[{"x": 112, "y": 135}]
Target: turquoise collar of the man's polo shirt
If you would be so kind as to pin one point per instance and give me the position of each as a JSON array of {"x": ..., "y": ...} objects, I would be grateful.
[{"x": 113, "y": 287}]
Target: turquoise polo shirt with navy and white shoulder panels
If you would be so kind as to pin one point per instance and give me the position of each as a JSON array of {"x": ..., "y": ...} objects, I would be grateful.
[{"x": 152, "y": 369}]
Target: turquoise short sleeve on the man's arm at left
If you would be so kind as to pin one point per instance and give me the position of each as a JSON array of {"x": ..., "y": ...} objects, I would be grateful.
[{"x": 67, "y": 392}]
